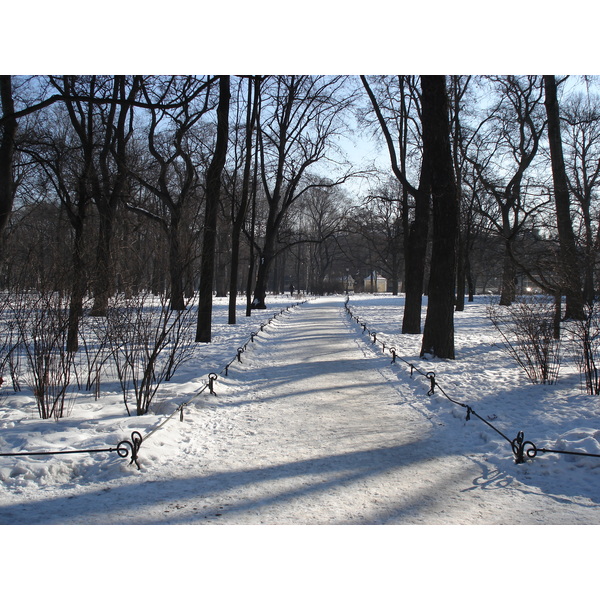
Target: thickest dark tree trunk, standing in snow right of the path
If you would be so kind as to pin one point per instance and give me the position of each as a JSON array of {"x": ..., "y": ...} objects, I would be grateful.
[{"x": 438, "y": 333}]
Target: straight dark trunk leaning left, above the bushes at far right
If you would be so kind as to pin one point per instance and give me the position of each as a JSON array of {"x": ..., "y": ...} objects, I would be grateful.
[{"x": 571, "y": 277}]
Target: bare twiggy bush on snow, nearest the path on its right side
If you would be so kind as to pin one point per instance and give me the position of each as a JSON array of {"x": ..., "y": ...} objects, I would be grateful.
[{"x": 527, "y": 331}]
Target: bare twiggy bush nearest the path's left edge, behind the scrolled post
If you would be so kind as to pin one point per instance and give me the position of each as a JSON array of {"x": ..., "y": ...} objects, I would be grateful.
[{"x": 147, "y": 343}]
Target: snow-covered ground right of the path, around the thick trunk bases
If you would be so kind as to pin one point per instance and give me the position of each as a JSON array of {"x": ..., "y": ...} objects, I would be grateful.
[{"x": 484, "y": 377}]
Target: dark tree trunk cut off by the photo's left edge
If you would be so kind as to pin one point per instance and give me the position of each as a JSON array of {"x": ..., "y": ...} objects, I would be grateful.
[{"x": 8, "y": 131}]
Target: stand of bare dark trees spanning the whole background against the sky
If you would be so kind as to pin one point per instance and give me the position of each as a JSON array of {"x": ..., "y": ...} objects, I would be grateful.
[{"x": 241, "y": 184}]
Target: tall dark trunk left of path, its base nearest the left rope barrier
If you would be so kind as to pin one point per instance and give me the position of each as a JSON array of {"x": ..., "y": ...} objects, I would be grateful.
[{"x": 213, "y": 188}]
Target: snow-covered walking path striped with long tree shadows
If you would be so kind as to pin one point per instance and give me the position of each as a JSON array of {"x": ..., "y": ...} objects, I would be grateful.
[{"x": 312, "y": 427}]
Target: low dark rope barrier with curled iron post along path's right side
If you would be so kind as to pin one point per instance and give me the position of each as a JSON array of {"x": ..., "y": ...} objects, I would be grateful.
[{"x": 522, "y": 449}]
